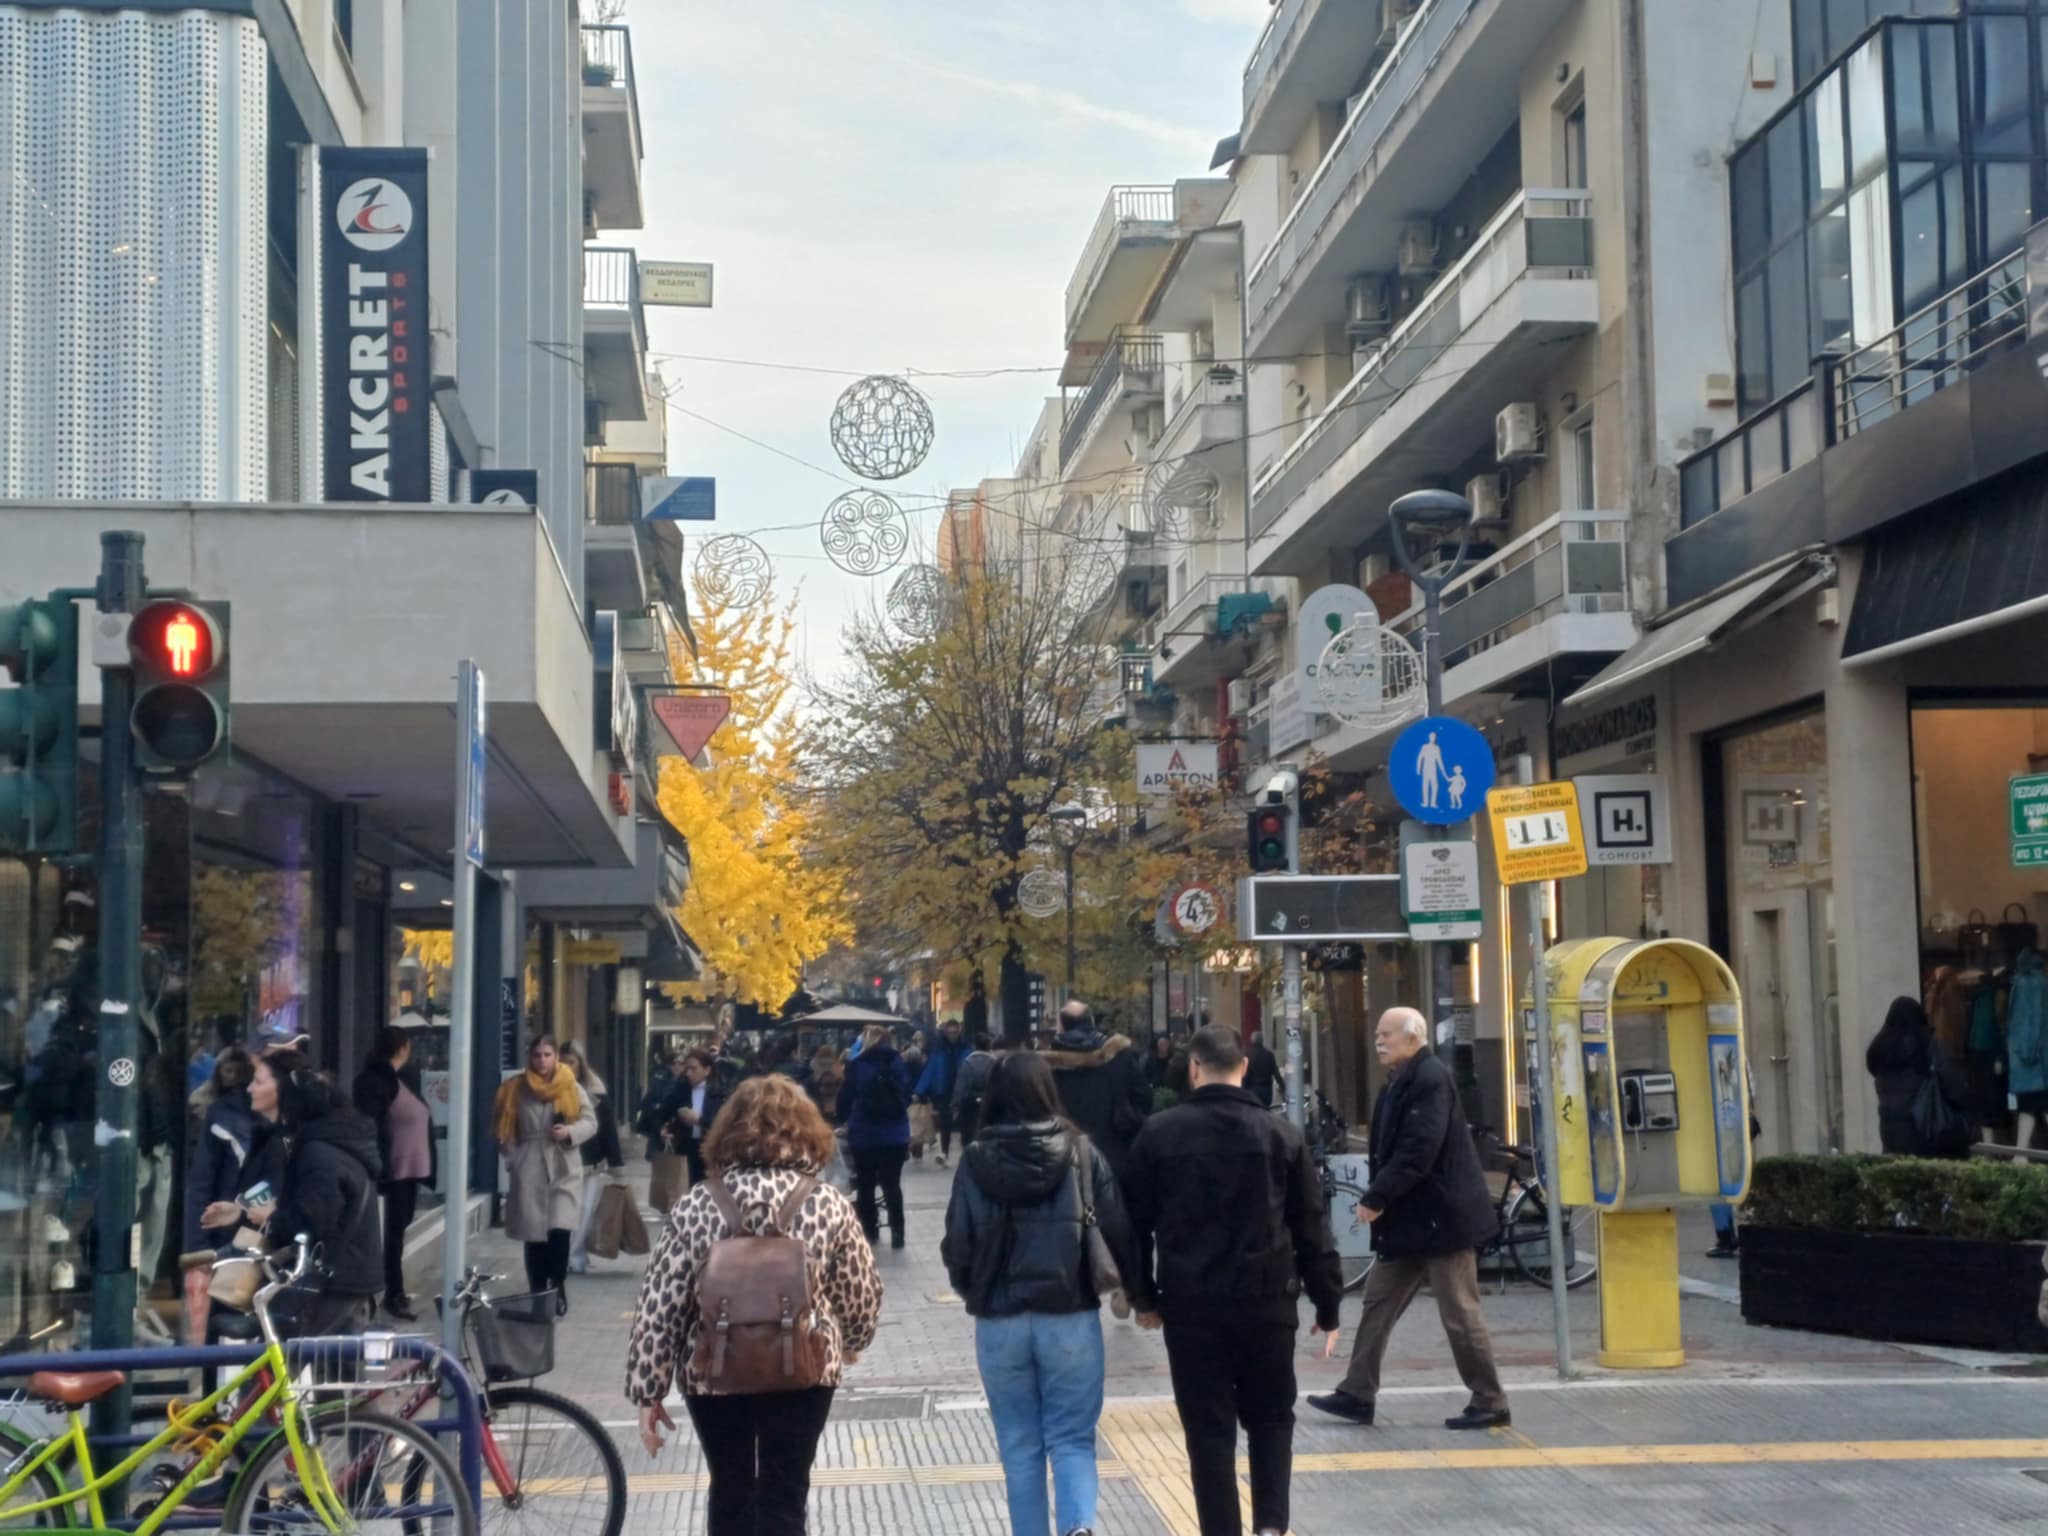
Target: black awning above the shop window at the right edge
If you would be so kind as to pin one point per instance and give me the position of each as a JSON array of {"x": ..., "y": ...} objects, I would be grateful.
[{"x": 1957, "y": 568}]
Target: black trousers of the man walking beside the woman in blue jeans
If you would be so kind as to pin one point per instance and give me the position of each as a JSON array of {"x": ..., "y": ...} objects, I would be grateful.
[{"x": 1236, "y": 1369}]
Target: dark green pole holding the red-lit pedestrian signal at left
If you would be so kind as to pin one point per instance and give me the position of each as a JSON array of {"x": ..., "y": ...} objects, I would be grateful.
[{"x": 118, "y": 1095}]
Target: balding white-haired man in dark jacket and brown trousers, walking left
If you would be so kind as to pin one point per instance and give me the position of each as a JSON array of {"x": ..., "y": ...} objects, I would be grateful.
[{"x": 1431, "y": 1213}]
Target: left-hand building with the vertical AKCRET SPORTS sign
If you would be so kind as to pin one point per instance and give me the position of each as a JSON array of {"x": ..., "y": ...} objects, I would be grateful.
[{"x": 191, "y": 212}]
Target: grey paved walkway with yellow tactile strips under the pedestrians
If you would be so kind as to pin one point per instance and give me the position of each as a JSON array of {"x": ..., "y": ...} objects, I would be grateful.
[{"x": 1760, "y": 1433}]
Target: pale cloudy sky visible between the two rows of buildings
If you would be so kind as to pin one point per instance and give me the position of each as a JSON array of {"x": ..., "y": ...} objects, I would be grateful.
[{"x": 886, "y": 187}]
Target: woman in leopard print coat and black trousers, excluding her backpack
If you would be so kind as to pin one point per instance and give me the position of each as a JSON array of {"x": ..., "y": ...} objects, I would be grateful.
[{"x": 759, "y": 1447}]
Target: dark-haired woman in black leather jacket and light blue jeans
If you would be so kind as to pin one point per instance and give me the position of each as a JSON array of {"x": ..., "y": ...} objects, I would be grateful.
[{"x": 1017, "y": 1252}]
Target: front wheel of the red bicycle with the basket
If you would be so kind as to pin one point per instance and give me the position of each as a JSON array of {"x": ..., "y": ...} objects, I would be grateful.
[{"x": 550, "y": 1467}]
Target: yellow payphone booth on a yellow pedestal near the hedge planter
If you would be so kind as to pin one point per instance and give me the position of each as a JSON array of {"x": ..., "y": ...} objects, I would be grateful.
[{"x": 1652, "y": 1103}]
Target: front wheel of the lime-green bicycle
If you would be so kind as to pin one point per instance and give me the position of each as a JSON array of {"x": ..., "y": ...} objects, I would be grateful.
[{"x": 388, "y": 1476}]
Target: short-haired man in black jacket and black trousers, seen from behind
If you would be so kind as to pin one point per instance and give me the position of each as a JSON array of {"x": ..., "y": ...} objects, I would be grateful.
[{"x": 1232, "y": 1232}]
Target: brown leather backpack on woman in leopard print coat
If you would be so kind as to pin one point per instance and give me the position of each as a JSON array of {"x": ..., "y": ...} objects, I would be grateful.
[{"x": 759, "y": 1330}]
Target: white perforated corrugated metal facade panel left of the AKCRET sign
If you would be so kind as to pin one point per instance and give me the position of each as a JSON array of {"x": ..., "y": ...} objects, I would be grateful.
[{"x": 132, "y": 239}]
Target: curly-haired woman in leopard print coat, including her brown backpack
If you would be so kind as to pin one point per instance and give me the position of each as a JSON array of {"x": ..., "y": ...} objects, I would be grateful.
[{"x": 759, "y": 1295}]
